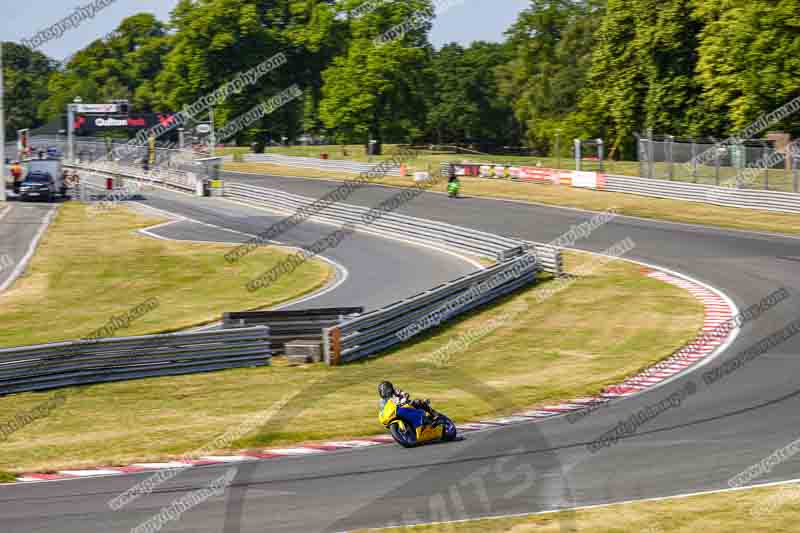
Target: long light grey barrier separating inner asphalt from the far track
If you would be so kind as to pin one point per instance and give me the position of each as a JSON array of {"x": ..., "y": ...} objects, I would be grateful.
[{"x": 395, "y": 225}]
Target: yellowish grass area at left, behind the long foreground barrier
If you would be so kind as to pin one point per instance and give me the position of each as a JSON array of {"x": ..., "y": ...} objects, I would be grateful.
[{"x": 88, "y": 269}]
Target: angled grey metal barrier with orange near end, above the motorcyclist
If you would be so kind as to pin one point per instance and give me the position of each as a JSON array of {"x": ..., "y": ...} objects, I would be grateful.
[{"x": 371, "y": 333}]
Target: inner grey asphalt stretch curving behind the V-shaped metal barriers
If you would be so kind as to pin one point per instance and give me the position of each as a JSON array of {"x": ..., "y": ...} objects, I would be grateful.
[{"x": 378, "y": 271}]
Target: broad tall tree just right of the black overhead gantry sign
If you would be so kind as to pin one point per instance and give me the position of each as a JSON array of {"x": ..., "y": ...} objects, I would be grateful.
[{"x": 217, "y": 39}]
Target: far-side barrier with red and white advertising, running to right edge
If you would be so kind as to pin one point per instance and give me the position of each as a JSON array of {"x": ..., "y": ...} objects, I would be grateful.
[{"x": 769, "y": 200}]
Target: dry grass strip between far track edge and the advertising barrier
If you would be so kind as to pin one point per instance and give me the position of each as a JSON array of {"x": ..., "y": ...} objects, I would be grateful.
[{"x": 627, "y": 204}]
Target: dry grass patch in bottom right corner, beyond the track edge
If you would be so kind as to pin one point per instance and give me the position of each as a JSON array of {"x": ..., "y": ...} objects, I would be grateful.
[{"x": 773, "y": 509}]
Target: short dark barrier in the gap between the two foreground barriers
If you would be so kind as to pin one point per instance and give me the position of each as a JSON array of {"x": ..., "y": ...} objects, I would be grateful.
[{"x": 290, "y": 326}]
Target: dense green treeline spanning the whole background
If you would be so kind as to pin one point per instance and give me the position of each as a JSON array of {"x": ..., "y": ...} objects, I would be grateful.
[{"x": 587, "y": 68}]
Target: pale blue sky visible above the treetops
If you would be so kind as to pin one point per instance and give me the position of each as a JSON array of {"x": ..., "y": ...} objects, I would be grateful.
[{"x": 464, "y": 21}]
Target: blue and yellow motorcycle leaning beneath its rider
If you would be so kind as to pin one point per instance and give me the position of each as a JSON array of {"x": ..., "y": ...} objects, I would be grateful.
[{"x": 407, "y": 425}]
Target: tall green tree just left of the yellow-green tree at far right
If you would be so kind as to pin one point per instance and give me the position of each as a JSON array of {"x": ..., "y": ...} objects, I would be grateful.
[{"x": 642, "y": 73}]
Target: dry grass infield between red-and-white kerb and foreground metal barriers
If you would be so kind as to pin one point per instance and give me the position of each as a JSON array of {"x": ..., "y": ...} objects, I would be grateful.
[{"x": 596, "y": 331}]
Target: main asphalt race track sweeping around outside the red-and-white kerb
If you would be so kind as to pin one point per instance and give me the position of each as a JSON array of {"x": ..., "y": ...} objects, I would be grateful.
[{"x": 716, "y": 432}]
